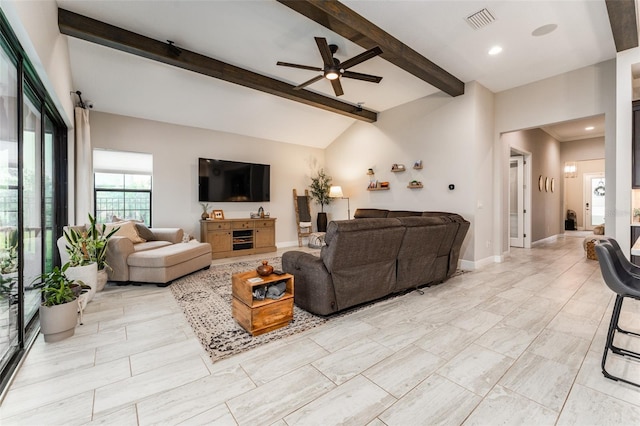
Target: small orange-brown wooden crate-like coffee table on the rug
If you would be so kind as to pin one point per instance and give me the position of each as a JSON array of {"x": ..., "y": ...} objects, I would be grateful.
[{"x": 261, "y": 316}]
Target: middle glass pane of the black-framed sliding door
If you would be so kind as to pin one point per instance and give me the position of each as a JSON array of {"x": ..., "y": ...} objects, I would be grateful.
[{"x": 31, "y": 205}]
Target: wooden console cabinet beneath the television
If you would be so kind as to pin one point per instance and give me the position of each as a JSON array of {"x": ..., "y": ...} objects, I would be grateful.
[{"x": 239, "y": 237}]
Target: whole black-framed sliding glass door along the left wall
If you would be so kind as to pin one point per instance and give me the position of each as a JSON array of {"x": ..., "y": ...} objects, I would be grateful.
[{"x": 33, "y": 196}]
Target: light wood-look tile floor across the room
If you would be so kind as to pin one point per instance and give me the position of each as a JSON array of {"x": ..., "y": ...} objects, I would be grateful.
[{"x": 518, "y": 342}]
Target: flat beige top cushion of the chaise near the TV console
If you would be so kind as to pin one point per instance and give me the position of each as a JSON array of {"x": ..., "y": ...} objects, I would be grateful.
[{"x": 169, "y": 255}]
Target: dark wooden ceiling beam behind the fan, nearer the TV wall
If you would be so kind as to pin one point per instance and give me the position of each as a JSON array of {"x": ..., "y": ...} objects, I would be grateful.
[{"x": 82, "y": 27}]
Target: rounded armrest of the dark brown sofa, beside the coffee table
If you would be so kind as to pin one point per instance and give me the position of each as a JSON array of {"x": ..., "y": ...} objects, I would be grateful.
[{"x": 313, "y": 286}]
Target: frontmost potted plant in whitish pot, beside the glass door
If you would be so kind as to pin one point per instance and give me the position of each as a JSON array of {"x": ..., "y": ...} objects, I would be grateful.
[{"x": 59, "y": 309}]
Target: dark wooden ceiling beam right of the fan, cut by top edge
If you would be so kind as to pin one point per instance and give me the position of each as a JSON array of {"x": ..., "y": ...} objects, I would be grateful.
[{"x": 347, "y": 23}]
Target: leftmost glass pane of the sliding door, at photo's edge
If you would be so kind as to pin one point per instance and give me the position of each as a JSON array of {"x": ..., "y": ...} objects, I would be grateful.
[{"x": 9, "y": 324}]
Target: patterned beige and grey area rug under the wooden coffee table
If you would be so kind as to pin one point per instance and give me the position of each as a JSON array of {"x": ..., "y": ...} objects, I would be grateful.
[{"x": 205, "y": 298}]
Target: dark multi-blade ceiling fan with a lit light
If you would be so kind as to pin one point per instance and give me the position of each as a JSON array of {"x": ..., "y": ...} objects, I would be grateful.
[{"x": 333, "y": 69}]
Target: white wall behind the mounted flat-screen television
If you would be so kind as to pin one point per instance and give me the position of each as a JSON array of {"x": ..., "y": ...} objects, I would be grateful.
[{"x": 176, "y": 150}]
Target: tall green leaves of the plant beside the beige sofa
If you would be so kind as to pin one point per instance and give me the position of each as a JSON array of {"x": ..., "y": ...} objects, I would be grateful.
[{"x": 89, "y": 246}]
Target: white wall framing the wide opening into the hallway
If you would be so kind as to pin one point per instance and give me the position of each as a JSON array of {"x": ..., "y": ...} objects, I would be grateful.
[{"x": 581, "y": 93}]
